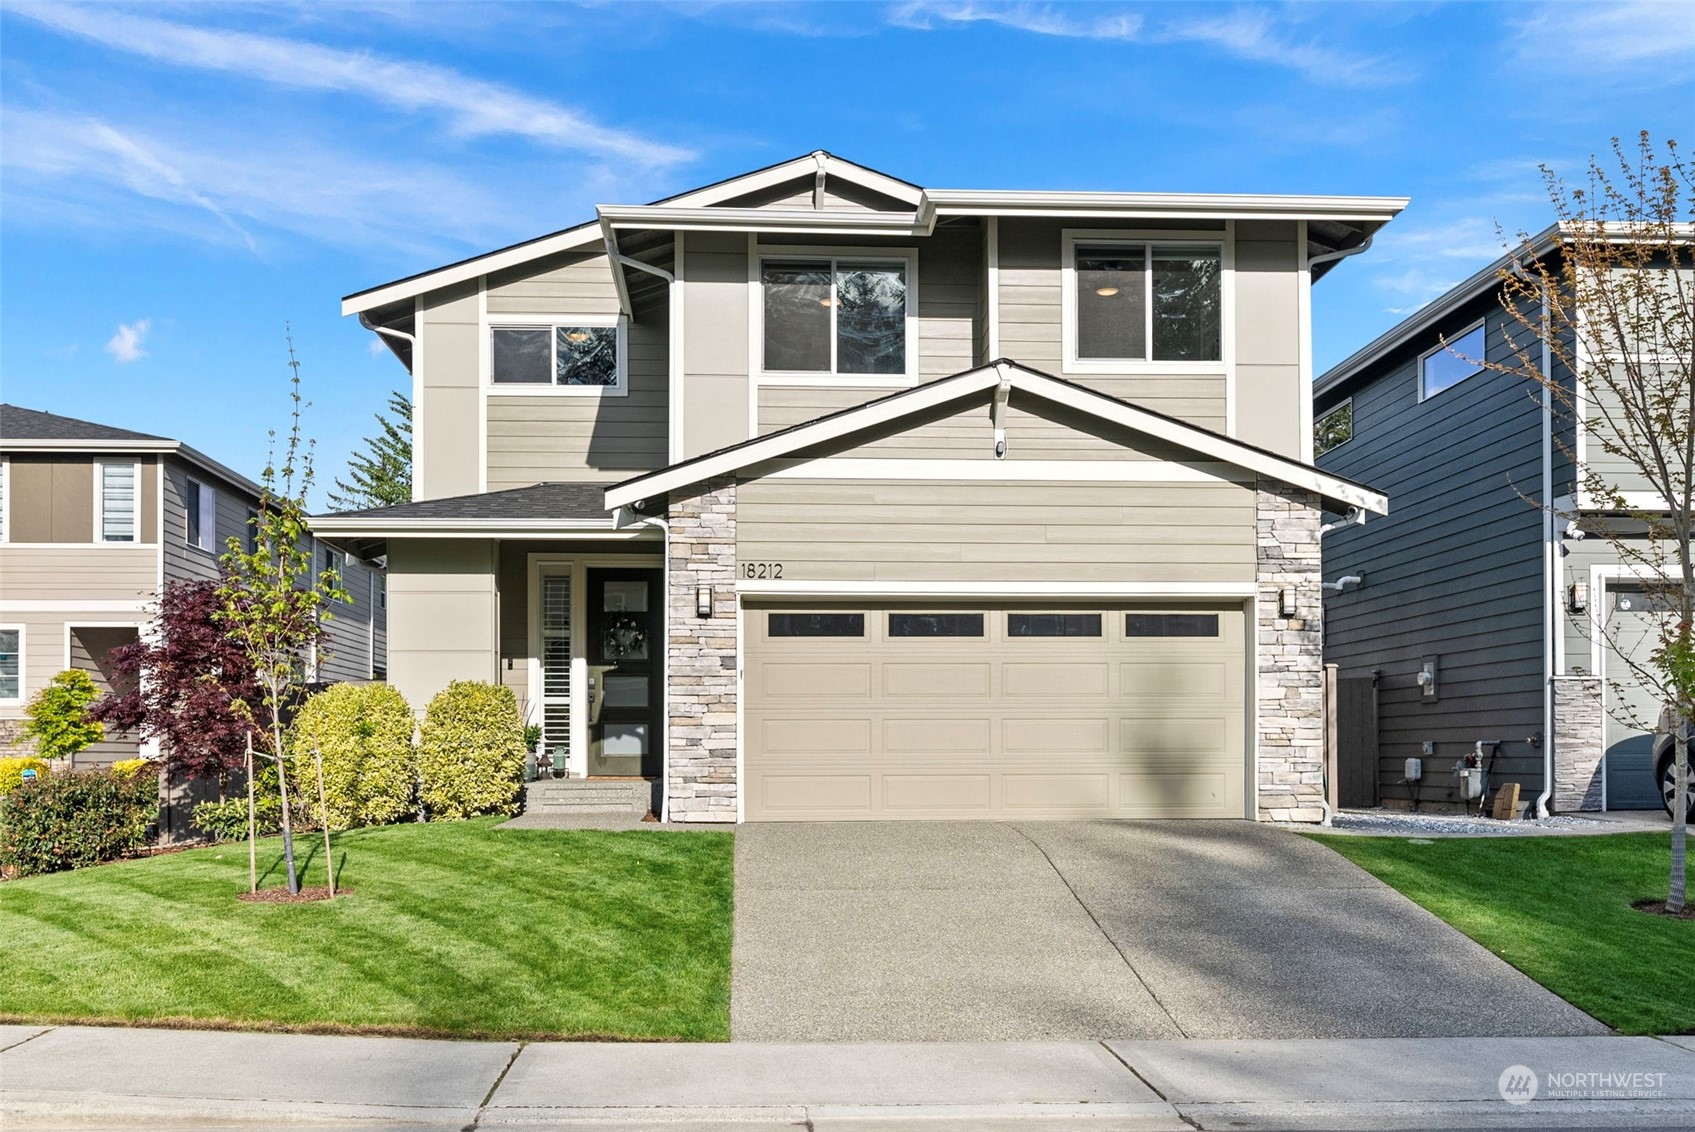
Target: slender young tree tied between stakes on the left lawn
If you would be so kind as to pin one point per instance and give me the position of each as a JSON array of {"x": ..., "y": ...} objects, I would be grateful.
[{"x": 272, "y": 604}]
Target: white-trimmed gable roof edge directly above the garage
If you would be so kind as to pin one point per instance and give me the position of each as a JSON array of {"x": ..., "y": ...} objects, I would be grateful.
[{"x": 850, "y": 421}]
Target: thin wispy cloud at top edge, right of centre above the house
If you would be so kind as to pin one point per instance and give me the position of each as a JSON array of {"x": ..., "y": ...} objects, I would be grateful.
[{"x": 1253, "y": 35}]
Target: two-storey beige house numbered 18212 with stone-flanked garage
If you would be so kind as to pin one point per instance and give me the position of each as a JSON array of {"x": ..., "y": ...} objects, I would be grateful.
[{"x": 818, "y": 496}]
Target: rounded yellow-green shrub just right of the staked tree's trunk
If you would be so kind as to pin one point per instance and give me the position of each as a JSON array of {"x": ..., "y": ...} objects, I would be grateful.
[{"x": 365, "y": 733}]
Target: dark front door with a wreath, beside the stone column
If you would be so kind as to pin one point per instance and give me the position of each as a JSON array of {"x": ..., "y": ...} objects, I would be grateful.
[{"x": 626, "y": 641}]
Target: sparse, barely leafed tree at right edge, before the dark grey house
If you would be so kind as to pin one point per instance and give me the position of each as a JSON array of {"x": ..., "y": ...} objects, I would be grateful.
[{"x": 1614, "y": 304}]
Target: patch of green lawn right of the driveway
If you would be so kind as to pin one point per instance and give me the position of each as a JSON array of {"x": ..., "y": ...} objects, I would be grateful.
[{"x": 1560, "y": 911}]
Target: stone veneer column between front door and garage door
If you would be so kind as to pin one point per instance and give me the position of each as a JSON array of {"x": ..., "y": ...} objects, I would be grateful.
[{"x": 701, "y": 696}]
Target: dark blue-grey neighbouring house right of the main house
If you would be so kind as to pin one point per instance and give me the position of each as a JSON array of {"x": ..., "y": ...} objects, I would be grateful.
[{"x": 1513, "y": 614}]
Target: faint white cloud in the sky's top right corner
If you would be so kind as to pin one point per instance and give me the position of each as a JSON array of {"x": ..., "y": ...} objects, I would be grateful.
[{"x": 1611, "y": 35}]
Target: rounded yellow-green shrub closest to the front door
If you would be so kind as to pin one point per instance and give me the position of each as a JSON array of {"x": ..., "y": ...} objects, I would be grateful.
[{"x": 472, "y": 752}]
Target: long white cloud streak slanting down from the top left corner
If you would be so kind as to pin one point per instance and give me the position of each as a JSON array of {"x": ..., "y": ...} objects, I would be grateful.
[{"x": 470, "y": 106}]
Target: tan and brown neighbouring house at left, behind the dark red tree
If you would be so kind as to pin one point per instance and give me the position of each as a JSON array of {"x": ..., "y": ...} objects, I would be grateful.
[{"x": 94, "y": 523}]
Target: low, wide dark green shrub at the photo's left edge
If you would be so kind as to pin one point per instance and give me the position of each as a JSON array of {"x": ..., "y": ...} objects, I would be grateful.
[{"x": 75, "y": 819}]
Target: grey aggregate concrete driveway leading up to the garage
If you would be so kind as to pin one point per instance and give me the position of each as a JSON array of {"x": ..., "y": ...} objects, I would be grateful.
[{"x": 960, "y": 931}]
